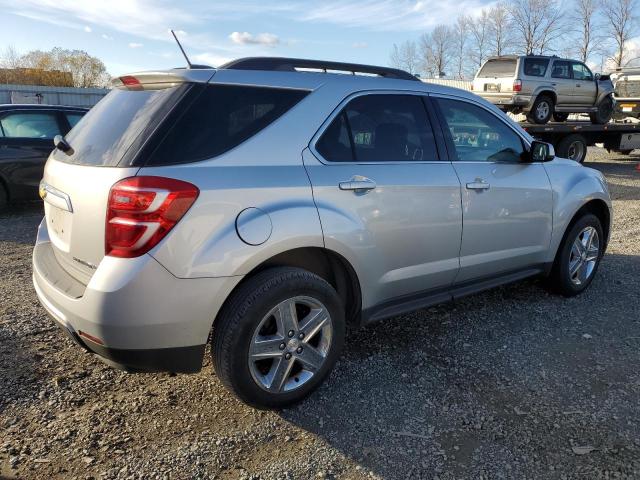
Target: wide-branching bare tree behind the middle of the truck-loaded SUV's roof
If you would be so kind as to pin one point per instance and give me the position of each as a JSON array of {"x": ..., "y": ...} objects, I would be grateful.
[{"x": 537, "y": 25}]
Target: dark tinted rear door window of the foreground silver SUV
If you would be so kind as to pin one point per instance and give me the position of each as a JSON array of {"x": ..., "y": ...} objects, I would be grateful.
[{"x": 380, "y": 128}]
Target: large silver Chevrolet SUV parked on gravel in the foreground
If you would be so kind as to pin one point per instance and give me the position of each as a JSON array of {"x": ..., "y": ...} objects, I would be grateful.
[{"x": 264, "y": 209}]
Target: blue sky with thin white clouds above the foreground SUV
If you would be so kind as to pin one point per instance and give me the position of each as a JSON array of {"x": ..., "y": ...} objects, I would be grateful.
[{"x": 129, "y": 35}]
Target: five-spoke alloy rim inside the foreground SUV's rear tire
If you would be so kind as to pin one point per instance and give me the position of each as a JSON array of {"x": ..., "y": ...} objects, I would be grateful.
[{"x": 290, "y": 344}]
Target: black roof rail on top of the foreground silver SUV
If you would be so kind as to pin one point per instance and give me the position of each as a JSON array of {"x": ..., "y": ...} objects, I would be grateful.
[{"x": 292, "y": 64}]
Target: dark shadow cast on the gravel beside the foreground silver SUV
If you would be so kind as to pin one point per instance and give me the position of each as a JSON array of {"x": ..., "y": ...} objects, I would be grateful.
[{"x": 498, "y": 383}]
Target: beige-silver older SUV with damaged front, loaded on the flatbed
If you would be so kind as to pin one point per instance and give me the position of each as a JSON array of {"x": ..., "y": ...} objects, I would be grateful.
[{"x": 545, "y": 88}]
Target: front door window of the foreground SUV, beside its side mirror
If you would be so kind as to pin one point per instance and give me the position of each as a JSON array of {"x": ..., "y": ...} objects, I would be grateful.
[{"x": 478, "y": 135}]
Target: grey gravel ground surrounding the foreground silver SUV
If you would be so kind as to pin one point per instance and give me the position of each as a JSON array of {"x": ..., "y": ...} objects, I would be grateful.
[{"x": 512, "y": 383}]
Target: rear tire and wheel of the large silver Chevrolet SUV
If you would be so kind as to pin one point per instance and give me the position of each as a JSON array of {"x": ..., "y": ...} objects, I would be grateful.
[{"x": 278, "y": 336}]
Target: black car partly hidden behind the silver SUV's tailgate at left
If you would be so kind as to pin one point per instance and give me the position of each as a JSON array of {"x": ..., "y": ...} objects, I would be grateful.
[{"x": 26, "y": 139}]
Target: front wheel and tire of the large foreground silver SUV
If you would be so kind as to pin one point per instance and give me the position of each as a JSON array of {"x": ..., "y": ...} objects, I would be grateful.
[{"x": 578, "y": 258}]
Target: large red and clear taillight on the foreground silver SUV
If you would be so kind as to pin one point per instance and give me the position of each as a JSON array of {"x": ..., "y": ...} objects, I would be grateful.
[{"x": 142, "y": 210}]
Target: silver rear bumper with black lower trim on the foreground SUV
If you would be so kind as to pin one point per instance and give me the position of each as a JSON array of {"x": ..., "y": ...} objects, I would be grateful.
[{"x": 143, "y": 317}]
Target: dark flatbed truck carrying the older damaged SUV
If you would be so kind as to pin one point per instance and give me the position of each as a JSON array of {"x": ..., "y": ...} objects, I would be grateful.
[{"x": 571, "y": 139}]
